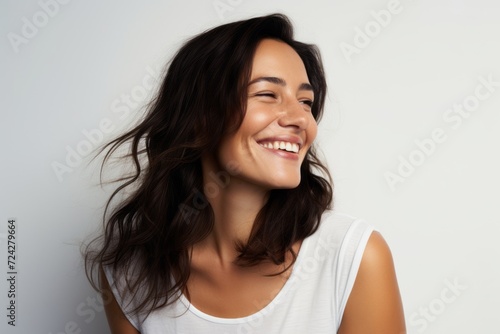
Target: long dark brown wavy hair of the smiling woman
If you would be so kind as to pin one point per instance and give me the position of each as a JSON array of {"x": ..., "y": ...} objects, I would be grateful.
[{"x": 148, "y": 235}]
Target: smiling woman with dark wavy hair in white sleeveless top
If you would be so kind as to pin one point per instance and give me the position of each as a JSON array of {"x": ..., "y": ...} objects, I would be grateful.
[{"x": 228, "y": 226}]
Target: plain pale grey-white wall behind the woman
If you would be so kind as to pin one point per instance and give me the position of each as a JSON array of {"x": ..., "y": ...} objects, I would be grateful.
[{"x": 410, "y": 135}]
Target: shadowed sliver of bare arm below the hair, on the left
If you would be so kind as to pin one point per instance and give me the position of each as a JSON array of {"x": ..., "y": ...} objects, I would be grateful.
[{"x": 117, "y": 321}]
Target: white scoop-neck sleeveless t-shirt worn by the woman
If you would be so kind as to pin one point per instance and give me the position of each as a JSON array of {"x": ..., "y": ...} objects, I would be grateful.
[{"x": 311, "y": 301}]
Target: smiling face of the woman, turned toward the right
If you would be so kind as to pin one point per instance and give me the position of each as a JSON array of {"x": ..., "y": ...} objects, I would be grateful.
[{"x": 278, "y": 127}]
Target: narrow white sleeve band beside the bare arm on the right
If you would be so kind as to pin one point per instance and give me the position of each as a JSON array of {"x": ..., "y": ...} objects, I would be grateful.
[{"x": 350, "y": 255}]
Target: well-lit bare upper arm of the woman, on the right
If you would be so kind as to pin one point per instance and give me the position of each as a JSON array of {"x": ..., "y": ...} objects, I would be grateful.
[{"x": 374, "y": 306}]
